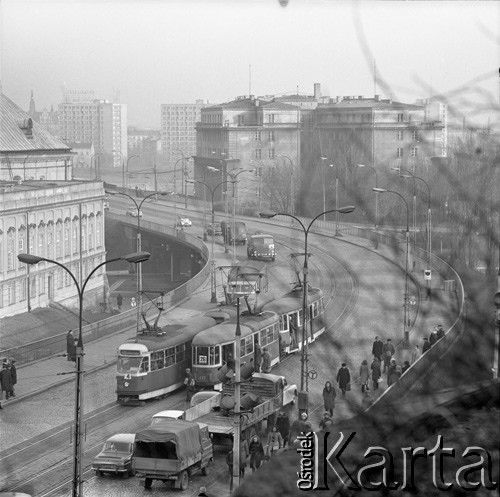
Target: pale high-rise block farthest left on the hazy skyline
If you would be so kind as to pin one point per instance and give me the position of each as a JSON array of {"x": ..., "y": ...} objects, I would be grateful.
[{"x": 100, "y": 122}]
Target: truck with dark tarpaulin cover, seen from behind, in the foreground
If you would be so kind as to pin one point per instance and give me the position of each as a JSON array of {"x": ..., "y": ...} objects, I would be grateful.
[{"x": 171, "y": 451}]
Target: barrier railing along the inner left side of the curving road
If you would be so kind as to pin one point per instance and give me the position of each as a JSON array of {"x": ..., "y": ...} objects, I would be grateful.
[{"x": 128, "y": 319}]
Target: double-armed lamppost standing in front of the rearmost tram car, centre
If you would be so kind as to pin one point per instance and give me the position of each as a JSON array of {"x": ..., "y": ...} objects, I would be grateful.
[{"x": 304, "y": 380}]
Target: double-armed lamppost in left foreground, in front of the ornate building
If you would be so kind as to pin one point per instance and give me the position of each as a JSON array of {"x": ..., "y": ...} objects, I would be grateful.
[{"x": 135, "y": 258}]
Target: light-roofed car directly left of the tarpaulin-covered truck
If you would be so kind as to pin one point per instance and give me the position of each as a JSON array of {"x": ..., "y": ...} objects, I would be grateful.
[{"x": 116, "y": 456}]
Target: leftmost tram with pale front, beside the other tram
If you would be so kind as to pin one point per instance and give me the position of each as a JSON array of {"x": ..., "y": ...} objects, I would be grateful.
[{"x": 154, "y": 364}]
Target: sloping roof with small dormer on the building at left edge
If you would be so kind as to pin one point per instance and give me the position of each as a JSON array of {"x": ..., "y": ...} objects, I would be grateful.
[{"x": 19, "y": 132}]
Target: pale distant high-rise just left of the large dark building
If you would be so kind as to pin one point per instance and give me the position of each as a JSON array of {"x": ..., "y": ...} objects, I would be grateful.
[{"x": 178, "y": 130}]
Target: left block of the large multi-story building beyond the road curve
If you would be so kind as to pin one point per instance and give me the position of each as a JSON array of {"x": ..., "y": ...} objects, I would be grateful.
[{"x": 246, "y": 134}]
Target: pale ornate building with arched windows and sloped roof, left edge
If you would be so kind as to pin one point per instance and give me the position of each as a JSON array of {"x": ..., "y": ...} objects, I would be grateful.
[{"x": 43, "y": 212}]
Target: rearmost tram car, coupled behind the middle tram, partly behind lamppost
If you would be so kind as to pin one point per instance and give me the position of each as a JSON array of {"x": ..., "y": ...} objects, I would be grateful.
[{"x": 289, "y": 309}]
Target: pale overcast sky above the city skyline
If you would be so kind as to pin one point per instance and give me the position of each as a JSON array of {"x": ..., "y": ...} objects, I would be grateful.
[{"x": 176, "y": 51}]
